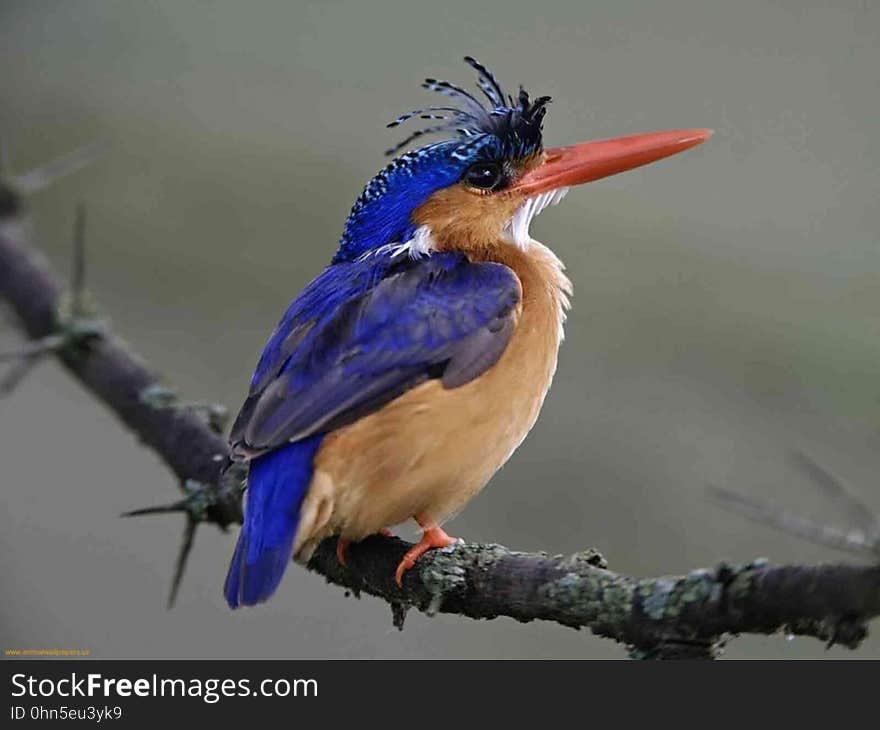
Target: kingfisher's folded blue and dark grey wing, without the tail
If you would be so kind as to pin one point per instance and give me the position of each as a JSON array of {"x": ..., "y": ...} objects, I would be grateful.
[{"x": 365, "y": 332}]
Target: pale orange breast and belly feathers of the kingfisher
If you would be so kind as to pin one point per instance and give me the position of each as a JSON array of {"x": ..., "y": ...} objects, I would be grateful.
[{"x": 429, "y": 451}]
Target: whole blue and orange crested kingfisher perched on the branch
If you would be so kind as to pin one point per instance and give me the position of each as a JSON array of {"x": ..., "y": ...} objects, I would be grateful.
[{"x": 402, "y": 377}]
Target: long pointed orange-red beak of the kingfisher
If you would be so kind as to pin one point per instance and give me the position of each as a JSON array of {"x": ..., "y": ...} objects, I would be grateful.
[{"x": 588, "y": 161}]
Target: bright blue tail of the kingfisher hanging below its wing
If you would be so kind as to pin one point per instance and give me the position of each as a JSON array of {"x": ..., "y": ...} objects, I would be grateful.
[{"x": 277, "y": 485}]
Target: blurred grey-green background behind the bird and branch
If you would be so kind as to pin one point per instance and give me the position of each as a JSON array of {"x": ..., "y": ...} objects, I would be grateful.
[{"x": 725, "y": 312}]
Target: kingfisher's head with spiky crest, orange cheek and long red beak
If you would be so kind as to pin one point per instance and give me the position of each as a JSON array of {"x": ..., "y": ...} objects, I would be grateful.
[{"x": 483, "y": 187}]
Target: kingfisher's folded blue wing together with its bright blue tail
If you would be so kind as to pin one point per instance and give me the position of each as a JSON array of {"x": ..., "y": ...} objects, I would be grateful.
[{"x": 359, "y": 335}]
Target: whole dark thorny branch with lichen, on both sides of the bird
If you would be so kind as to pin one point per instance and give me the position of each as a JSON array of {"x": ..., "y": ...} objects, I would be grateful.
[{"x": 685, "y": 616}]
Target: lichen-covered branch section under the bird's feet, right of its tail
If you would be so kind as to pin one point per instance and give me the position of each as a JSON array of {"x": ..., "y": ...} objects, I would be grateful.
[{"x": 689, "y": 612}]
